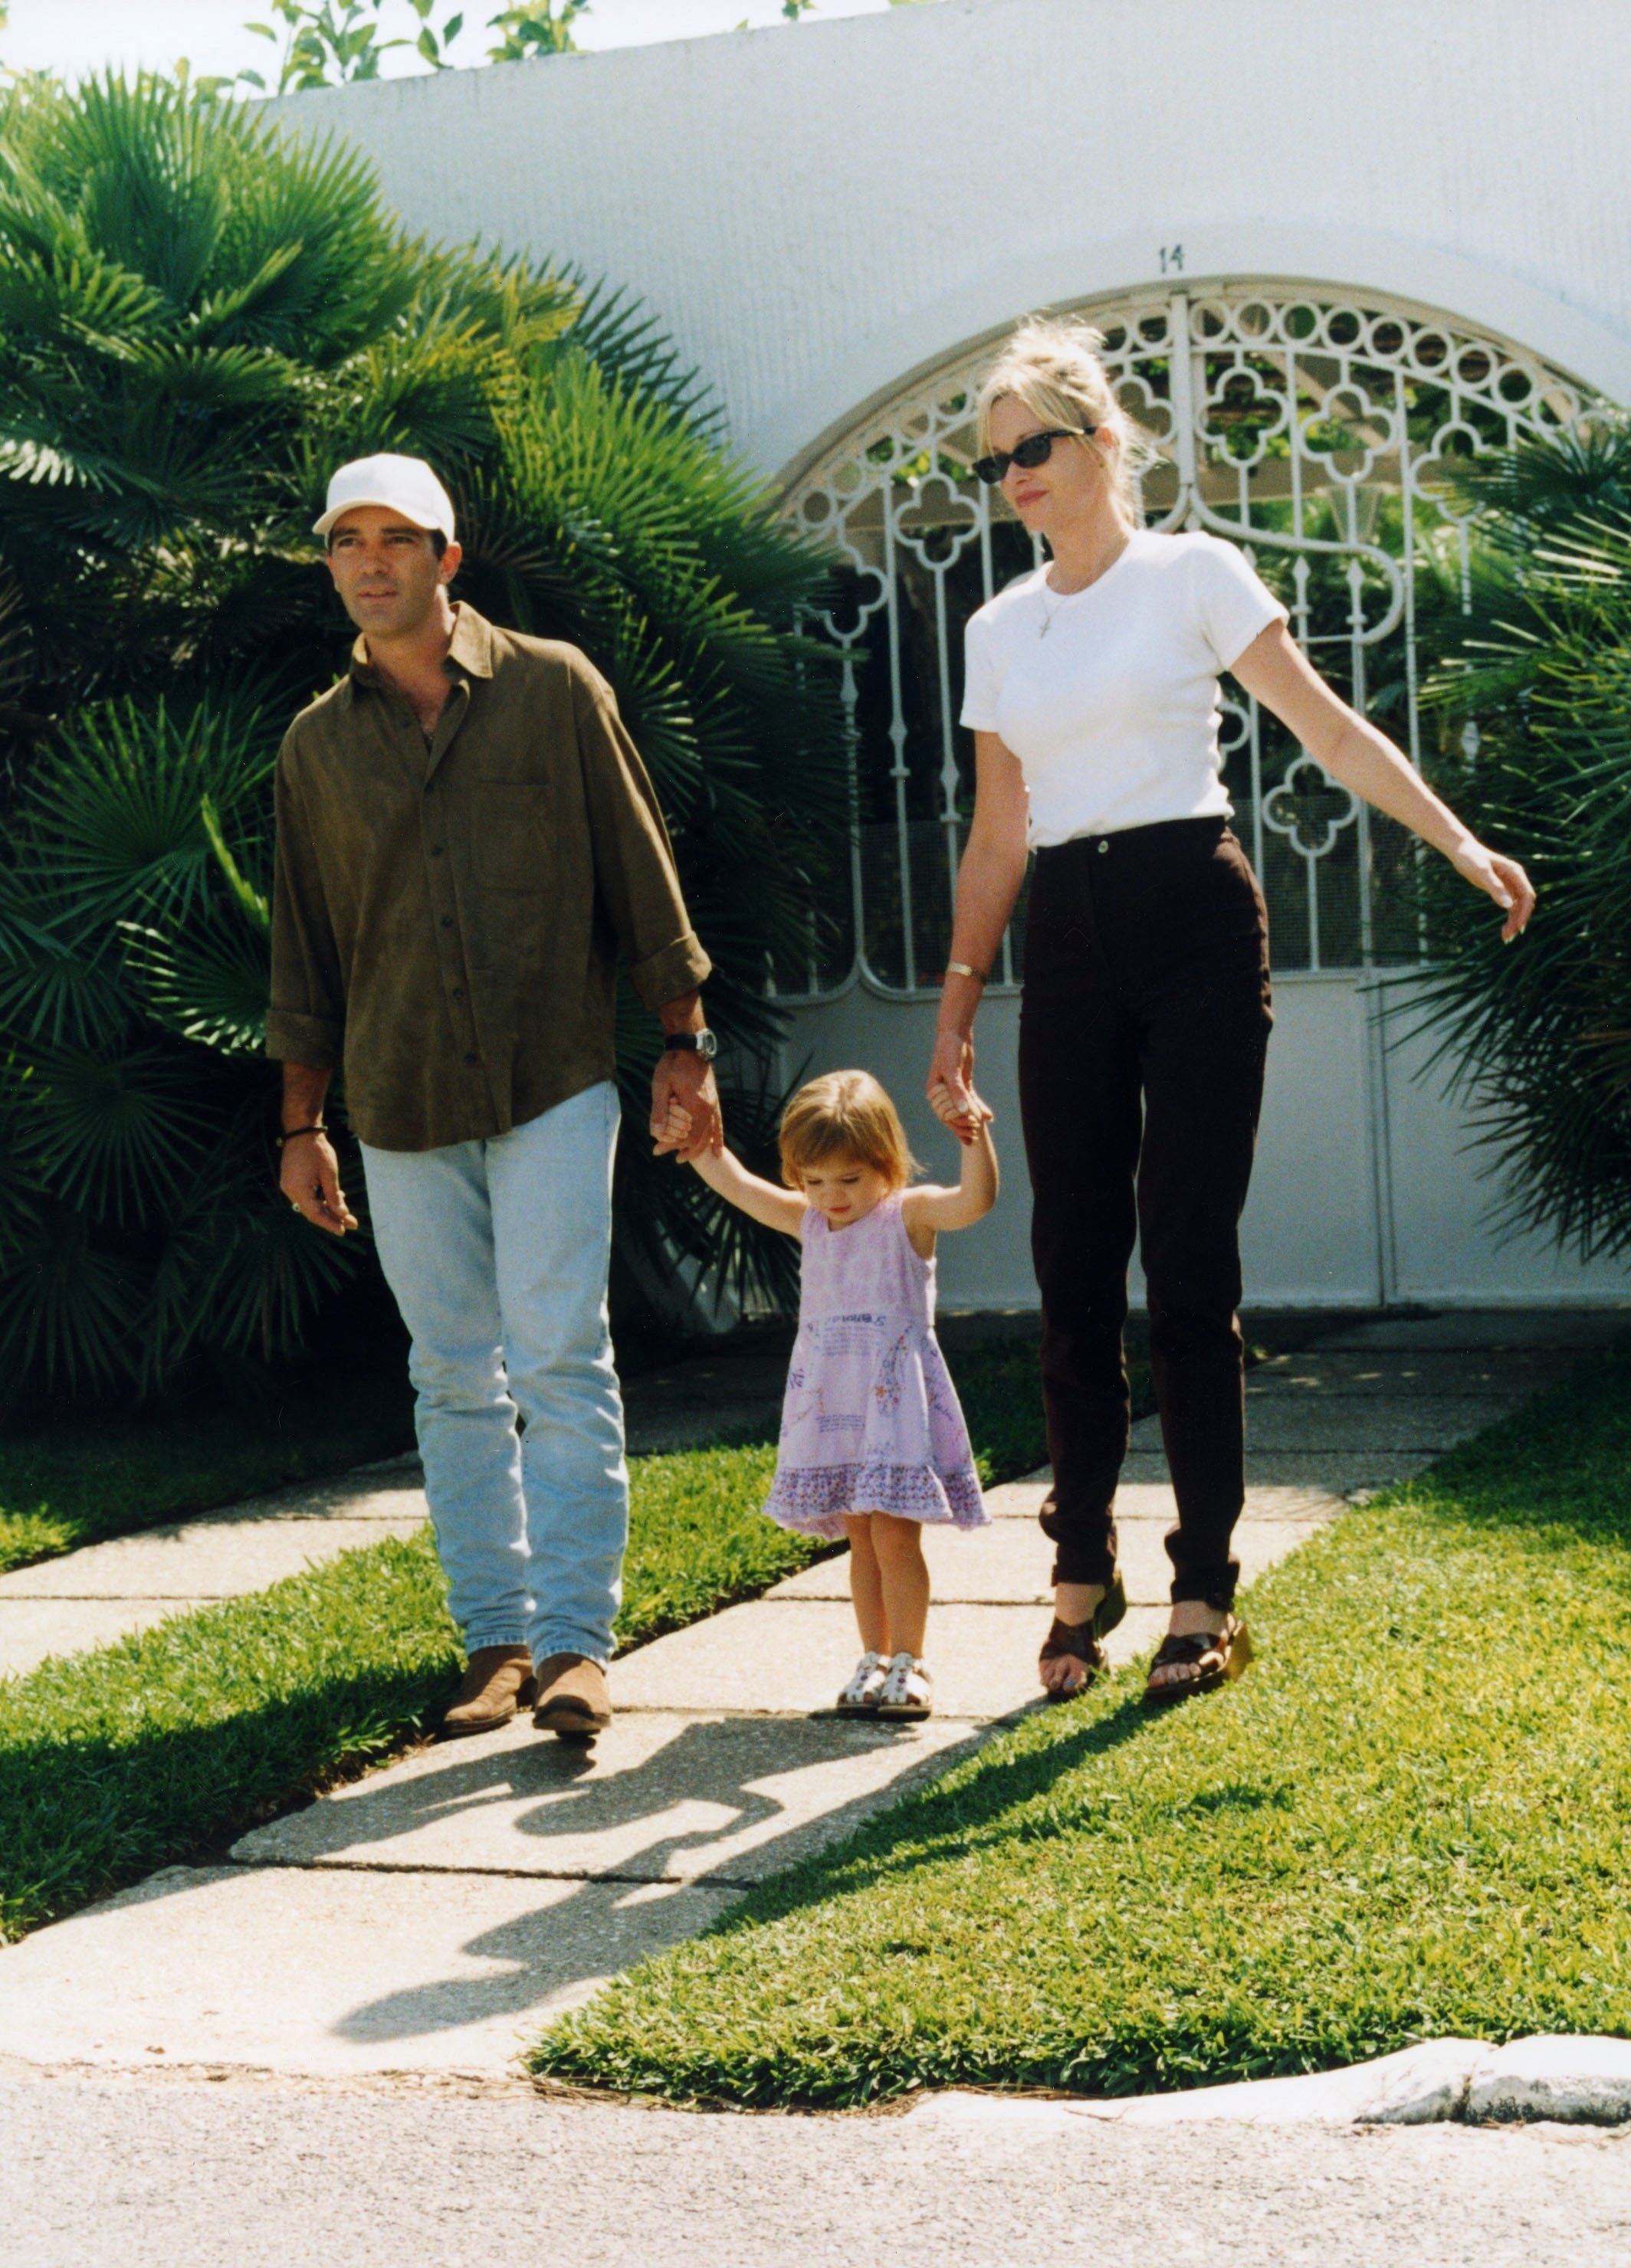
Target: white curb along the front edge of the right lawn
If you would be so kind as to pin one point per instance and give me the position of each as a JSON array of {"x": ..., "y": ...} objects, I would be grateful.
[{"x": 1555, "y": 2076}]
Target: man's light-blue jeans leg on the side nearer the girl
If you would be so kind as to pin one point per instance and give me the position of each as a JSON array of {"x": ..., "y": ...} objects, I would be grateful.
[{"x": 552, "y": 1226}]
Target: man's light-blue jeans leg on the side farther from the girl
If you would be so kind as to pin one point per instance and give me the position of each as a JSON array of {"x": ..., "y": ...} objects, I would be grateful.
[{"x": 434, "y": 1235}]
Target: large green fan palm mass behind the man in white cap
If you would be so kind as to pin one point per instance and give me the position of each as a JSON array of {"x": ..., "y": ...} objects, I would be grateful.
[{"x": 198, "y": 321}]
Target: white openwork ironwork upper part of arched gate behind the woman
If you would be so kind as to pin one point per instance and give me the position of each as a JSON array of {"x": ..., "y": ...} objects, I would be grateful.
[{"x": 1305, "y": 425}]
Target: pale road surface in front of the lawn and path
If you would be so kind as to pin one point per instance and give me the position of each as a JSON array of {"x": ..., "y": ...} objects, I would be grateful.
[{"x": 189, "y": 2174}]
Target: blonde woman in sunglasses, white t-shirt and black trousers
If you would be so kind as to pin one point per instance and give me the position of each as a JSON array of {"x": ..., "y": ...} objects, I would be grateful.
[{"x": 1092, "y": 691}]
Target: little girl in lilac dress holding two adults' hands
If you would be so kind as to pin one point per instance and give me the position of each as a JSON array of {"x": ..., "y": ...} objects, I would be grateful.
[{"x": 872, "y": 1437}]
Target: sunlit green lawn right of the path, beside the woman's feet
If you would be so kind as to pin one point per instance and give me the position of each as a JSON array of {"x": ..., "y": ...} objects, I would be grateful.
[{"x": 1410, "y": 1820}]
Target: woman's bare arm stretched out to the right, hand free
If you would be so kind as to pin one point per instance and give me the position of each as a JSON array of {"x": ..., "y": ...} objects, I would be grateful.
[{"x": 1276, "y": 672}]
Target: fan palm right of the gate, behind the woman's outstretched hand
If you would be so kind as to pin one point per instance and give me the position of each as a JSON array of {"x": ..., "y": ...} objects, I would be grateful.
[{"x": 1541, "y": 1035}]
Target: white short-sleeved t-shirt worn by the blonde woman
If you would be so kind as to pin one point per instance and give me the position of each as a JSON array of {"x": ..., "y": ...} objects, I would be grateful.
[{"x": 1110, "y": 695}]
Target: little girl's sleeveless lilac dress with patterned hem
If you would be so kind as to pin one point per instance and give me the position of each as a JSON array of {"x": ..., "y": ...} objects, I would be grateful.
[{"x": 872, "y": 1421}]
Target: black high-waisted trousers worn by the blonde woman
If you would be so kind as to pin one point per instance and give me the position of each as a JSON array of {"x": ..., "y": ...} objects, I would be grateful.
[{"x": 1142, "y": 1042}]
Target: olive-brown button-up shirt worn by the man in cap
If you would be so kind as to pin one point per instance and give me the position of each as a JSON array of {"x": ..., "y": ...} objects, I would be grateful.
[{"x": 448, "y": 917}]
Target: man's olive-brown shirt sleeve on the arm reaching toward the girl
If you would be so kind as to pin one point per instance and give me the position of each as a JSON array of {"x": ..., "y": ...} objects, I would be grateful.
[{"x": 634, "y": 861}]
